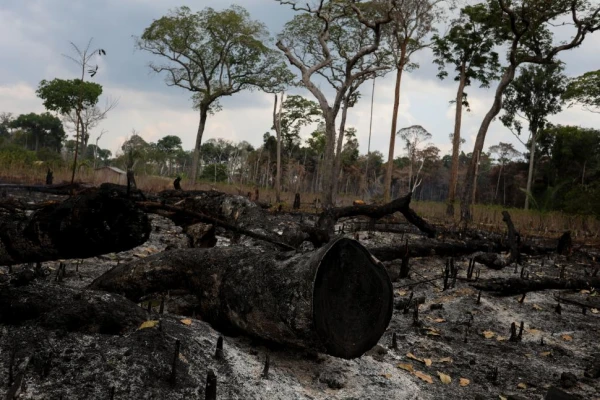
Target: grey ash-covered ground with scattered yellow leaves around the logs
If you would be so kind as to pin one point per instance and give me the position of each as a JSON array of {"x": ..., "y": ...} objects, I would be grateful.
[{"x": 455, "y": 338}]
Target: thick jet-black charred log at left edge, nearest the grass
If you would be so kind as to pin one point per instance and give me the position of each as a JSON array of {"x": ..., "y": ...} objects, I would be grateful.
[{"x": 95, "y": 222}]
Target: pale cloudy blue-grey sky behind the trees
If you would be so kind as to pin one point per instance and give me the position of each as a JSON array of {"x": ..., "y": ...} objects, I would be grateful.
[{"x": 35, "y": 33}]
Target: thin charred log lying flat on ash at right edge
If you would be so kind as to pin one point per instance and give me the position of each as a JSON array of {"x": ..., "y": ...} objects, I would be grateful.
[{"x": 513, "y": 286}]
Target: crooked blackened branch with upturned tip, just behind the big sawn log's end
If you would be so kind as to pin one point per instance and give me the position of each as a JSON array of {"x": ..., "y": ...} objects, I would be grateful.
[{"x": 329, "y": 217}]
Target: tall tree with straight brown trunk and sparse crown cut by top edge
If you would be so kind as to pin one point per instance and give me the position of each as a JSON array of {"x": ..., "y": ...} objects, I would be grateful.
[{"x": 412, "y": 22}]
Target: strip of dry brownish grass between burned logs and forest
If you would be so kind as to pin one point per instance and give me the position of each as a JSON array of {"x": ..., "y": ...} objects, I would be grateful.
[{"x": 485, "y": 217}]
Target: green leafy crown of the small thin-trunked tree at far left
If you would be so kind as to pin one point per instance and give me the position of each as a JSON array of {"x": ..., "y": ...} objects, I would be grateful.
[{"x": 66, "y": 95}]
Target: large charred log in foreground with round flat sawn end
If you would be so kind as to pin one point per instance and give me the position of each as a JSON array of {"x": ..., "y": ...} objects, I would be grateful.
[{"x": 337, "y": 299}]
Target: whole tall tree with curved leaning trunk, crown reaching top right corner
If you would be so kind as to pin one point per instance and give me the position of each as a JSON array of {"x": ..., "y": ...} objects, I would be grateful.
[{"x": 524, "y": 25}]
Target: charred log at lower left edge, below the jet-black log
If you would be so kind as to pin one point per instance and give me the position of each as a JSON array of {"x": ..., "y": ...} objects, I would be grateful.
[{"x": 56, "y": 307}]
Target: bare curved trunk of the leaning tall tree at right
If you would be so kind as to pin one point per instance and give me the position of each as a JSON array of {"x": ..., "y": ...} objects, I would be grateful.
[{"x": 467, "y": 195}]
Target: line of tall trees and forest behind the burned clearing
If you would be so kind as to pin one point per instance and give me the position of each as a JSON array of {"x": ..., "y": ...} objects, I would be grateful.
[{"x": 330, "y": 49}]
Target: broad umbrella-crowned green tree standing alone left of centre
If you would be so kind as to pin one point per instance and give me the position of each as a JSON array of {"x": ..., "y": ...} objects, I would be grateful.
[{"x": 213, "y": 54}]
